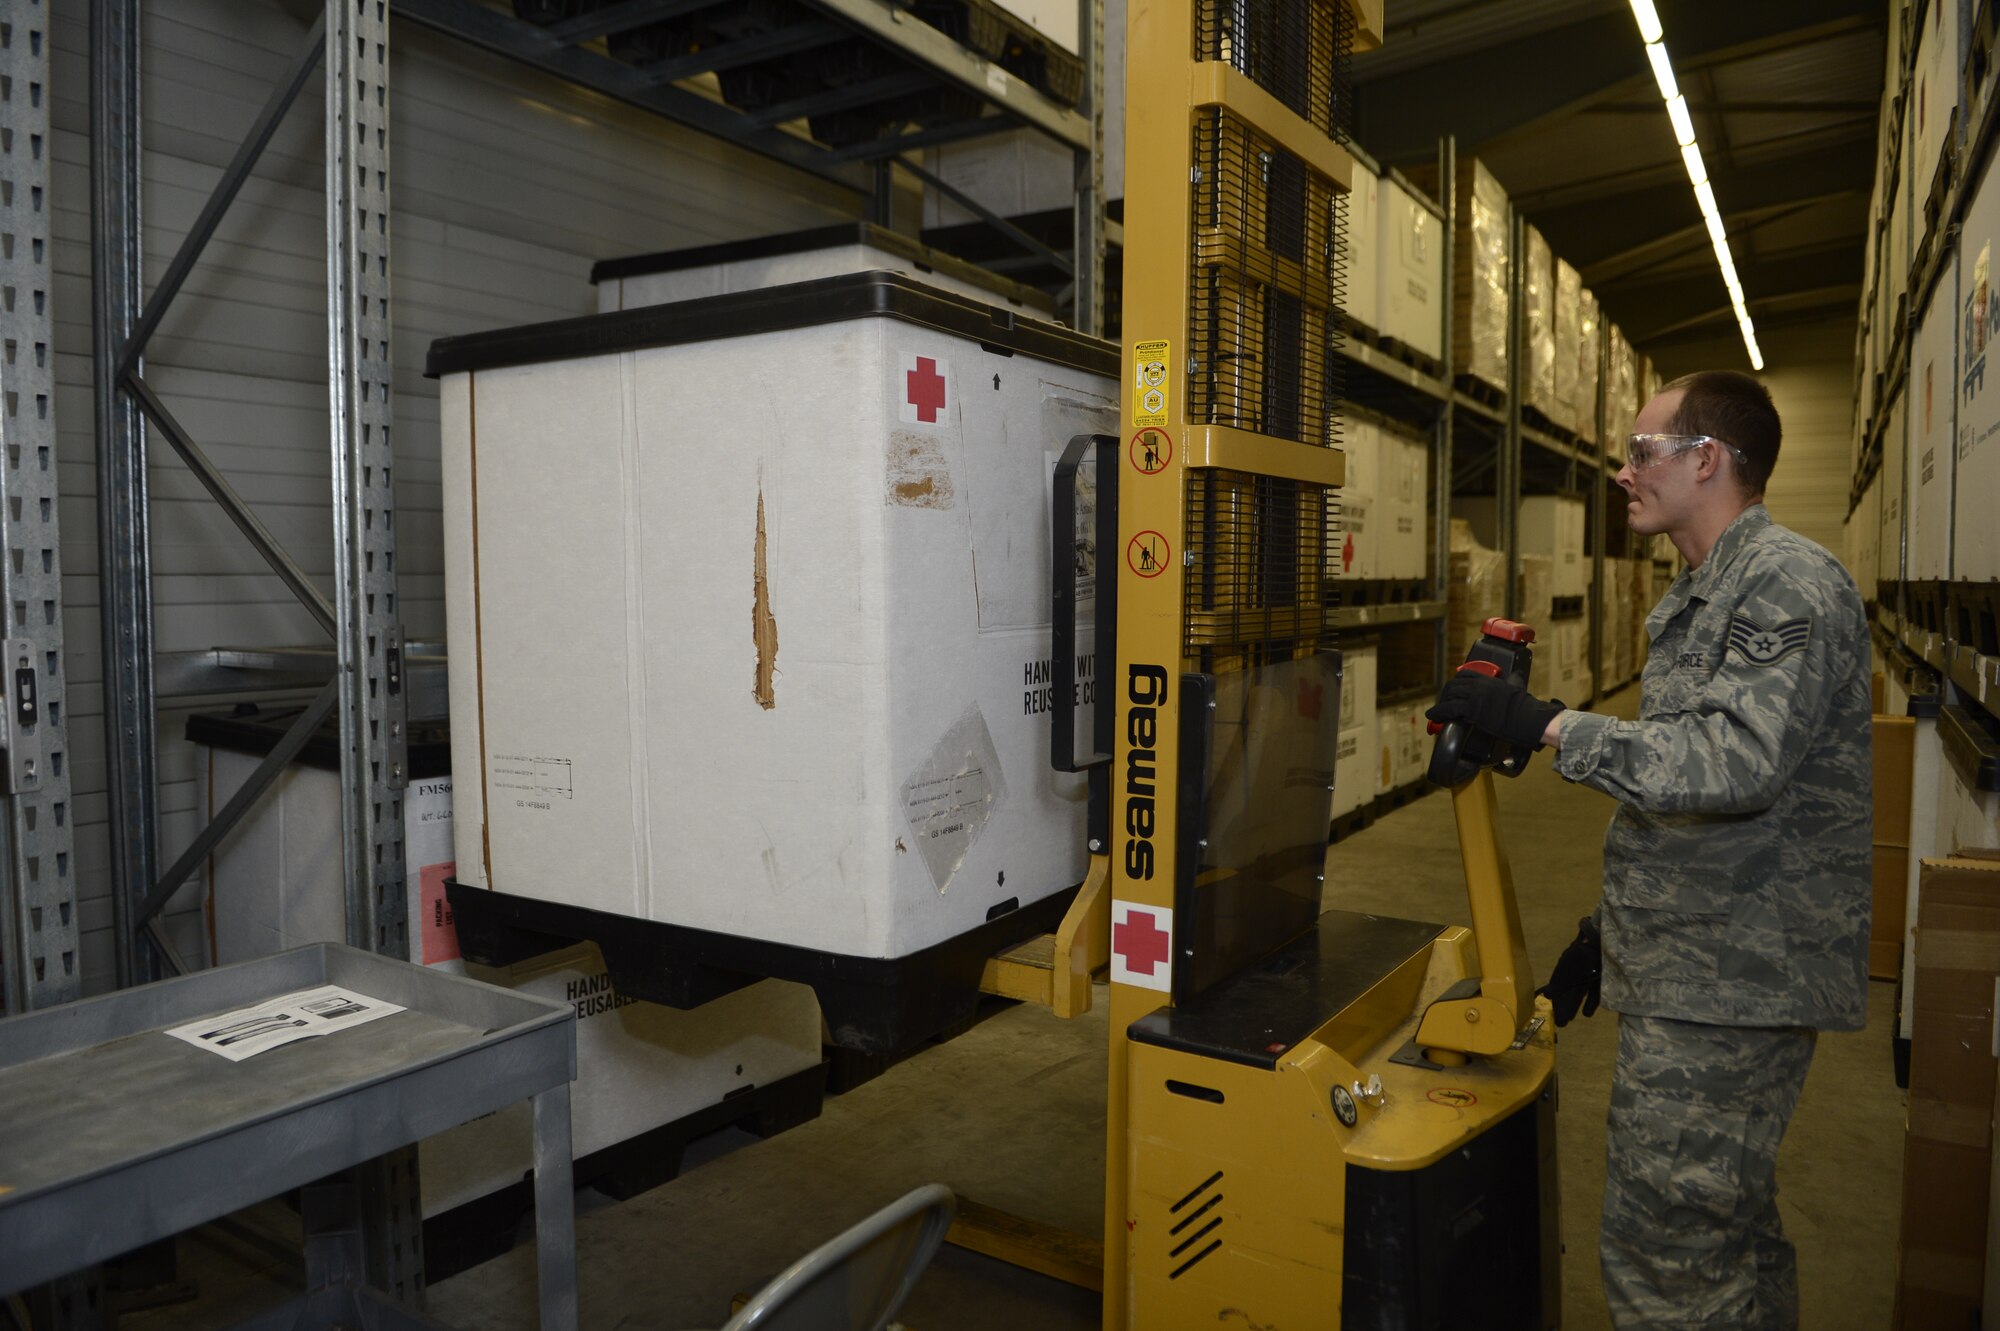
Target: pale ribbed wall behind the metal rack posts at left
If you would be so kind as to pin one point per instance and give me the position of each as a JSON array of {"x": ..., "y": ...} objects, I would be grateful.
[{"x": 507, "y": 189}]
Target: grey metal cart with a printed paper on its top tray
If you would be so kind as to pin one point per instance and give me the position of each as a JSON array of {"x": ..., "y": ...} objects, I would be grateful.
[{"x": 119, "y": 1134}]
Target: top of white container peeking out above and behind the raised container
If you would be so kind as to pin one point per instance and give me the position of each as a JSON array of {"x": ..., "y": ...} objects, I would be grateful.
[{"x": 799, "y": 257}]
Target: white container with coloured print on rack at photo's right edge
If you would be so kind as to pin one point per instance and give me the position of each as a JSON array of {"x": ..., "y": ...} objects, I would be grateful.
[{"x": 1975, "y": 533}]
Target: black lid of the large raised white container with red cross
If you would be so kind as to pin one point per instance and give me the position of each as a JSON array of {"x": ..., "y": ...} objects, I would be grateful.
[{"x": 775, "y": 309}]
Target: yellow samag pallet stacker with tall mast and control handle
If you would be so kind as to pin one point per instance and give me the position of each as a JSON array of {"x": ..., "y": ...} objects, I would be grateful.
[{"x": 1317, "y": 1118}]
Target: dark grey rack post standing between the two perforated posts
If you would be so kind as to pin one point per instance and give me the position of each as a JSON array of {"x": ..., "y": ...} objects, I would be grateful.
[{"x": 125, "y": 543}]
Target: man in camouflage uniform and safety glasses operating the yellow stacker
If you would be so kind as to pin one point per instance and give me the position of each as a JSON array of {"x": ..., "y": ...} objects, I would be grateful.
[{"x": 1737, "y": 868}]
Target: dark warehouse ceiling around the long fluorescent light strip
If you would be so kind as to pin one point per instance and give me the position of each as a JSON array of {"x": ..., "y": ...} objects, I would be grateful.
[{"x": 1557, "y": 99}]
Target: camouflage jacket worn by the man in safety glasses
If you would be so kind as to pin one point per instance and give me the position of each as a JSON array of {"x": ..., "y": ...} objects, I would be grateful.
[{"x": 1737, "y": 868}]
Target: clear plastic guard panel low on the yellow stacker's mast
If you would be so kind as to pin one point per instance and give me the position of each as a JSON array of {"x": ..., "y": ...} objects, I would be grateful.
[{"x": 1257, "y": 788}]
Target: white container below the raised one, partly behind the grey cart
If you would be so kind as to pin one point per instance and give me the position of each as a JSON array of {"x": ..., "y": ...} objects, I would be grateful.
[{"x": 639, "y": 1066}]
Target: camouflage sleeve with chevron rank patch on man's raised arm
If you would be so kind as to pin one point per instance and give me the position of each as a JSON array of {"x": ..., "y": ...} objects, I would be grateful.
[{"x": 1725, "y": 742}]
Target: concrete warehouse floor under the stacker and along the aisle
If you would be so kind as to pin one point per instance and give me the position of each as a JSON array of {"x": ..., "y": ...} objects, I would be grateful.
[{"x": 1013, "y": 1116}]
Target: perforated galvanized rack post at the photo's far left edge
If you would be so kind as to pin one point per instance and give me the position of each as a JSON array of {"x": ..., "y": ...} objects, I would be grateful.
[{"x": 39, "y": 932}]
